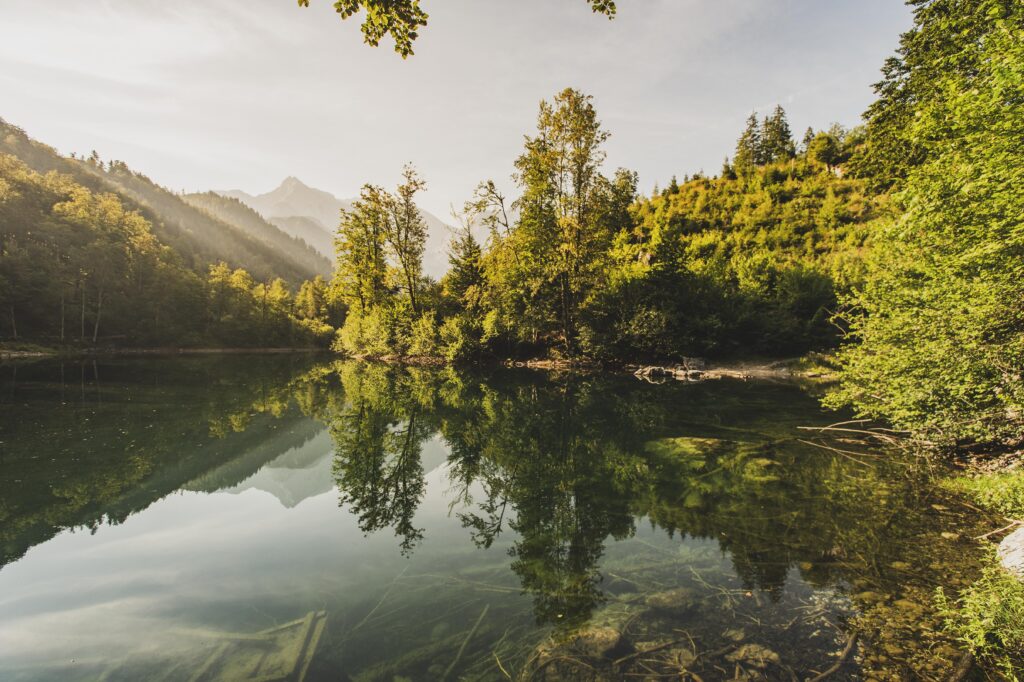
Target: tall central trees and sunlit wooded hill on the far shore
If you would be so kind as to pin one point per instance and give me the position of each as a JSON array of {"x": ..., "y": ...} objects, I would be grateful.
[{"x": 579, "y": 265}]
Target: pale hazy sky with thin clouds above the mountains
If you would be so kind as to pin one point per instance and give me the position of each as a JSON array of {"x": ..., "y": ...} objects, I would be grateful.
[{"x": 240, "y": 94}]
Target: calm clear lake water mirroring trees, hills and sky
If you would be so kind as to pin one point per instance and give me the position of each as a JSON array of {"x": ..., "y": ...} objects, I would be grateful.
[{"x": 161, "y": 518}]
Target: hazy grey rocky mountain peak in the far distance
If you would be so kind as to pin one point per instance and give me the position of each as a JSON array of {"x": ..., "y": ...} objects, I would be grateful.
[{"x": 313, "y": 216}]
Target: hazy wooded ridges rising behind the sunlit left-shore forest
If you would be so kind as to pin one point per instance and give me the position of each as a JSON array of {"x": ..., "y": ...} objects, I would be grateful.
[{"x": 198, "y": 238}]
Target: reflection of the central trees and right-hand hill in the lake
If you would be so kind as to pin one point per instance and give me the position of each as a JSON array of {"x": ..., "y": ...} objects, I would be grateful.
[{"x": 569, "y": 462}]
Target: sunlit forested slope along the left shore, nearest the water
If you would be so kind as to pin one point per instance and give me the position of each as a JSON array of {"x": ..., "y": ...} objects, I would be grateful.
[{"x": 81, "y": 268}]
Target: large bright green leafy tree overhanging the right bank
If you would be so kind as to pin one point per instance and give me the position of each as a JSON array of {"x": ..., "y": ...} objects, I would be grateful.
[{"x": 938, "y": 328}]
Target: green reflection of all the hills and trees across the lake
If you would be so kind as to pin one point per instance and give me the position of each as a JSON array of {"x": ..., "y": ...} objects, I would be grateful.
[{"x": 562, "y": 464}]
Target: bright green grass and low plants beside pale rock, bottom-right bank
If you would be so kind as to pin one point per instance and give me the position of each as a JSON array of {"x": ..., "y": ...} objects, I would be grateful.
[{"x": 989, "y": 617}]
